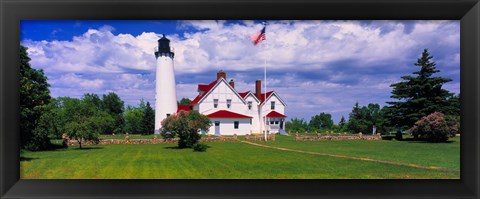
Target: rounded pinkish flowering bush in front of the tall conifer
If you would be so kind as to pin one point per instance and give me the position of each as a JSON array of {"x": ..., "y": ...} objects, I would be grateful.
[{"x": 435, "y": 127}]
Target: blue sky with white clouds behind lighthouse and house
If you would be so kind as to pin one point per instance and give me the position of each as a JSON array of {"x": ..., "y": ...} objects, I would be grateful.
[{"x": 315, "y": 66}]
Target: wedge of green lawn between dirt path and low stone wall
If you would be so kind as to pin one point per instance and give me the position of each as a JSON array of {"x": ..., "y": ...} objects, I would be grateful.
[{"x": 445, "y": 155}]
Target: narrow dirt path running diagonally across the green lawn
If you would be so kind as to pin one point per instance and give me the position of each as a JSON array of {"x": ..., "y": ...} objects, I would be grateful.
[{"x": 354, "y": 157}]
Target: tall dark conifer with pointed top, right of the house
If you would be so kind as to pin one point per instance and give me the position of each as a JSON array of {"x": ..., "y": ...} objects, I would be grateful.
[{"x": 418, "y": 95}]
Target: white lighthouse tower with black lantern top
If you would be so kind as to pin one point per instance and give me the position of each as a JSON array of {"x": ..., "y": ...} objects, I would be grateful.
[{"x": 165, "y": 94}]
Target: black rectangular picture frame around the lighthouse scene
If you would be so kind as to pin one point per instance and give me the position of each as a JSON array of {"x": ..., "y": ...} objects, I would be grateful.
[{"x": 468, "y": 11}]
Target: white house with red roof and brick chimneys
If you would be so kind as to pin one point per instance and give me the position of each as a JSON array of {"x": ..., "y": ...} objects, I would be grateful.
[{"x": 232, "y": 112}]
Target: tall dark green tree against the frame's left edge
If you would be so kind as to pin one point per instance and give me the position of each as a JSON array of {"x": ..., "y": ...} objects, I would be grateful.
[{"x": 34, "y": 98}]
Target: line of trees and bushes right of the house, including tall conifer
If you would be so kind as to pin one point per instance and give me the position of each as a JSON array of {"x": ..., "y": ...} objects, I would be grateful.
[{"x": 419, "y": 105}]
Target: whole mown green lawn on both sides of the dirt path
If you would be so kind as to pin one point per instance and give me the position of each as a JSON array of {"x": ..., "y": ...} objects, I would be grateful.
[{"x": 237, "y": 160}]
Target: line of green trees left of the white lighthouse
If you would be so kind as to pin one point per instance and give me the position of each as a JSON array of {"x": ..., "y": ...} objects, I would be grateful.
[{"x": 43, "y": 118}]
